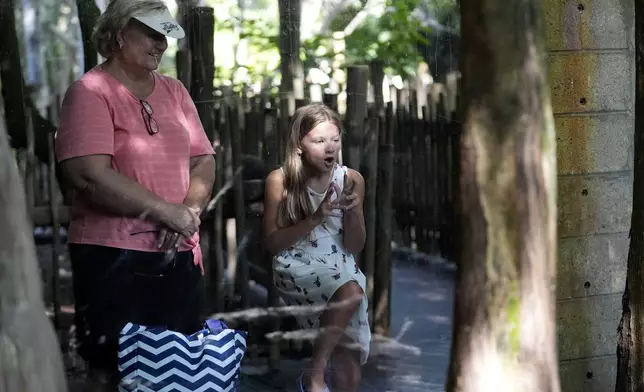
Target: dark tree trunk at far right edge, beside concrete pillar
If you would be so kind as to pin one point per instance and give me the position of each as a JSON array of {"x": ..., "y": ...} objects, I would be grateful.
[{"x": 630, "y": 350}]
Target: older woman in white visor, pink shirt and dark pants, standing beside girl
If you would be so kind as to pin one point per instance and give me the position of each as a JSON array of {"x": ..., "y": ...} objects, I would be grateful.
[{"x": 140, "y": 166}]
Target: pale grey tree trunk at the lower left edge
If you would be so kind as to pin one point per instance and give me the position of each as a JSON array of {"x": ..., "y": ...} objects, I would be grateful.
[{"x": 30, "y": 358}]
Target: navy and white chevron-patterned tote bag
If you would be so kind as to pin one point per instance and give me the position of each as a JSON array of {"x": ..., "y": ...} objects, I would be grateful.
[{"x": 161, "y": 360}]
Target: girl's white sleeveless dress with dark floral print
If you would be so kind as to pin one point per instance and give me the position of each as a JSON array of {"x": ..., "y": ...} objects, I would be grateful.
[{"x": 309, "y": 272}]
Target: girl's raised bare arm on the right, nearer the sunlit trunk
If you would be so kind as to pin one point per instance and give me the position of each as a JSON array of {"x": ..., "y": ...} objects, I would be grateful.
[{"x": 354, "y": 227}]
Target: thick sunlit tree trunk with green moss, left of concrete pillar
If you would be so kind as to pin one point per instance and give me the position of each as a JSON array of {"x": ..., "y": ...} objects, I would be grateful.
[{"x": 504, "y": 335}]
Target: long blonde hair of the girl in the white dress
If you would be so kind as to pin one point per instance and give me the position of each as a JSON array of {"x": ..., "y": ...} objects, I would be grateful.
[{"x": 295, "y": 205}]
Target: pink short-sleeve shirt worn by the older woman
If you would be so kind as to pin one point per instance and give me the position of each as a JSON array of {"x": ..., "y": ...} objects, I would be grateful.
[{"x": 100, "y": 116}]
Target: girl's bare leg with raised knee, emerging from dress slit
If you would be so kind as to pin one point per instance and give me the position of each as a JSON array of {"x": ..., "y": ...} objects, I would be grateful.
[{"x": 333, "y": 321}]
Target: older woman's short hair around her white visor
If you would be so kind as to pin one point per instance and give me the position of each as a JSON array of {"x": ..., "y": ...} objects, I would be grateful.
[{"x": 116, "y": 16}]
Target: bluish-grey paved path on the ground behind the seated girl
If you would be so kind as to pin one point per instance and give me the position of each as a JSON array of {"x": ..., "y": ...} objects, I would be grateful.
[{"x": 421, "y": 319}]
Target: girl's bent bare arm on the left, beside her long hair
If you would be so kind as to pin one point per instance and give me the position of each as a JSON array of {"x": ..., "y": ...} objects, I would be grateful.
[{"x": 277, "y": 239}]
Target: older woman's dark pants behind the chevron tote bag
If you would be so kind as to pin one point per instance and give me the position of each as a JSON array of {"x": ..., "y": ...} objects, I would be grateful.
[{"x": 115, "y": 286}]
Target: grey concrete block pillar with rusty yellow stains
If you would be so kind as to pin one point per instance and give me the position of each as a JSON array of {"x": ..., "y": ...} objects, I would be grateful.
[{"x": 590, "y": 45}]
